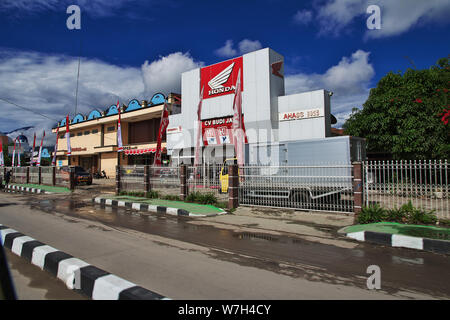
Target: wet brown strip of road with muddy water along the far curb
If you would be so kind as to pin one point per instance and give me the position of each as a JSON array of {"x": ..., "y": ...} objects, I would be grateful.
[{"x": 402, "y": 269}]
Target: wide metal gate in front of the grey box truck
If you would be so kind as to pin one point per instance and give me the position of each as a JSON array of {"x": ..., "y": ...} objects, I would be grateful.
[{"x": 305, "y": 187}]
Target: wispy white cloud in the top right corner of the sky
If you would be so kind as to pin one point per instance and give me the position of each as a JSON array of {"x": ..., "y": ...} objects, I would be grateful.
[{"x": 397, "y": 16}]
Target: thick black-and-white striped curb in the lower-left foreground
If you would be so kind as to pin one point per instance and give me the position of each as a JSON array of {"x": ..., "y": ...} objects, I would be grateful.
[{"x": 93, "y": 282}]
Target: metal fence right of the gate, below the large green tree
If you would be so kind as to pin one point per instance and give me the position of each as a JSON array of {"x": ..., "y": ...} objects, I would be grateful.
[{"x": 394, "y": 183}]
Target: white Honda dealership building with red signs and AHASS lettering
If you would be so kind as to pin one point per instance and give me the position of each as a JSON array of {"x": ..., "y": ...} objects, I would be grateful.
[{"x": 269, "y": 115}]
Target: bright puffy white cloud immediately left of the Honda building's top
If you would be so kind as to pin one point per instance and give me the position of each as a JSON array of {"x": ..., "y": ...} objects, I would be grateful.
[{"x": 164, "y": 75}]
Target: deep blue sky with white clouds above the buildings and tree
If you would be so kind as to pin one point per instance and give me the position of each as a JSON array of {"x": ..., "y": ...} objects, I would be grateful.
[{"x": 135, "y": 48}]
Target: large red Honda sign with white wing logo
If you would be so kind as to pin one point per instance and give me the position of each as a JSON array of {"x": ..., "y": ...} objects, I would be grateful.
[{"x": 220, "y": 79}]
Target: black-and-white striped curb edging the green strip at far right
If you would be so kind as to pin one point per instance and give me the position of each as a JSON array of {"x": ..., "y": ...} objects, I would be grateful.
[{"x": 398, "y": 240}]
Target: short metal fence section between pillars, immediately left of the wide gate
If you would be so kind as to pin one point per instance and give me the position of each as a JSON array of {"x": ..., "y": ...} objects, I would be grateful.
[{"x": 206, "y": 179}]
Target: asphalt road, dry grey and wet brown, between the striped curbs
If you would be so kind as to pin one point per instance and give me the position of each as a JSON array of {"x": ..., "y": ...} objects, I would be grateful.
[{"x": 181, "y": 260}]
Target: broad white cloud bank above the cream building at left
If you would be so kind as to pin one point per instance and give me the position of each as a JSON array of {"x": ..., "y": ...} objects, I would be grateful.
[{"x": 47, "y": 84}]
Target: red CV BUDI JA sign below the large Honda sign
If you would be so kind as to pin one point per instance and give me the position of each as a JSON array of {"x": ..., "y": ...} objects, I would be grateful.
[{"x": 218, "y": 131}]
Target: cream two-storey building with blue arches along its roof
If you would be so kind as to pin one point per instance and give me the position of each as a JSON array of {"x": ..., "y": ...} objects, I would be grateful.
[{"x": 93, "y": 137}]
